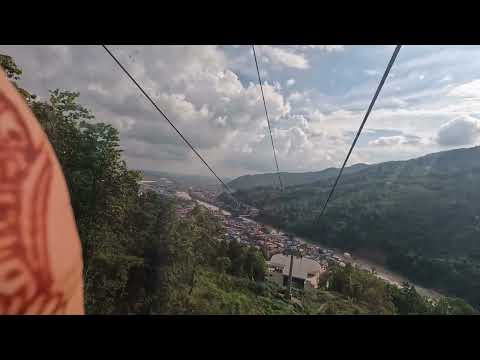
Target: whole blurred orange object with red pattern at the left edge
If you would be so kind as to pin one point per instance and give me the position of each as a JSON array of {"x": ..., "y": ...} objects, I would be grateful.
[{"x": 40, "y": 252}]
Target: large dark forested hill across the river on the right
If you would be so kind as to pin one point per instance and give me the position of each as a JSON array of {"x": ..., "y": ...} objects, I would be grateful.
[{"x": 420, "y": 216}]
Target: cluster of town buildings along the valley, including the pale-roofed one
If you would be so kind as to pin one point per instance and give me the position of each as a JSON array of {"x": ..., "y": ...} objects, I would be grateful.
[{"x": 308, "y": 262}]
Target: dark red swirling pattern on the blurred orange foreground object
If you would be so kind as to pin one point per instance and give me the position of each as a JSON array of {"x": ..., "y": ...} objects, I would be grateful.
[{"x": 26, "y": 281}]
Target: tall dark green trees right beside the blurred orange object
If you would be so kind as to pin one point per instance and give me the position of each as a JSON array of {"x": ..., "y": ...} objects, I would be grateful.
[{"x": 104, "y": 197}]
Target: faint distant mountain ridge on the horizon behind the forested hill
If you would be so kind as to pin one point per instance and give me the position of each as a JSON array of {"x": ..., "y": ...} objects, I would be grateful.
[{"x": 247, "y": 182}]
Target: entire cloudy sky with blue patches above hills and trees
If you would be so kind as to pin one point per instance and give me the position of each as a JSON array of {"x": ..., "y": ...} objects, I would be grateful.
[{"x": 316, "y": 97}]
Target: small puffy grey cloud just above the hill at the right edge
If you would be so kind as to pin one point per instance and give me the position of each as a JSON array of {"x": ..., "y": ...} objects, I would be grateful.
[{"x": 460, "y": 131}]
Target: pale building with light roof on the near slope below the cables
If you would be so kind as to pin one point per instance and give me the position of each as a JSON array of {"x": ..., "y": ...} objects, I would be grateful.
[{"x": 305, "y": 272}]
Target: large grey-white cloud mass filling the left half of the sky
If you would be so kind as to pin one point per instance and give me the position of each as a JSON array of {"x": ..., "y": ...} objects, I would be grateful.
[{"x": 193, "y": 85}]
